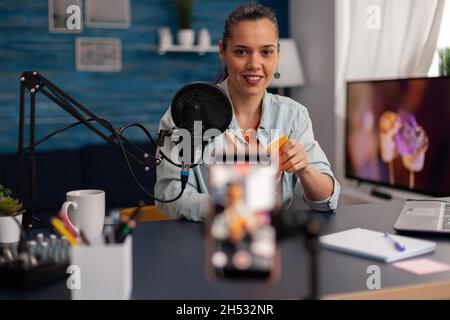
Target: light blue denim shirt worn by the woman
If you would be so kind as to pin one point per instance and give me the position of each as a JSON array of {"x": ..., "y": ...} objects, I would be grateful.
[{"x": 278, "y": 112}]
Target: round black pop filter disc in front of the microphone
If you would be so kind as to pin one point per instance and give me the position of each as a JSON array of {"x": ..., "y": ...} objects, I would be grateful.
[{"x": 201, "y": 101}]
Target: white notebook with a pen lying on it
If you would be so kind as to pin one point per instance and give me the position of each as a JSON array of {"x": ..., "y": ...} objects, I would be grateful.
[{"x": 373, "y": 244}]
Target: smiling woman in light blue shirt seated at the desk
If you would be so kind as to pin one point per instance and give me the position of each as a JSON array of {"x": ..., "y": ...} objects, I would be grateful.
[{"x": 250, "y": 51}]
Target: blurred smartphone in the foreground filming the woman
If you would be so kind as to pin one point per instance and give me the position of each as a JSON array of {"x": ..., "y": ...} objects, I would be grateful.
[{"x": 241, "y": 242}]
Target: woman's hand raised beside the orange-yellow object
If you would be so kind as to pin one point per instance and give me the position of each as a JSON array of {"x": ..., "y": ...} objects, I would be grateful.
[{"x": 293, "y": 157}]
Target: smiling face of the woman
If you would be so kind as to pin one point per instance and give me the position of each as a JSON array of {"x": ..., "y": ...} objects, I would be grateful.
[{"x": 251, "y": 56}]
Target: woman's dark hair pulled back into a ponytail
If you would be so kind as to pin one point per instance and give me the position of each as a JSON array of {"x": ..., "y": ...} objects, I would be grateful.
[{"x": 246, "y": 12}]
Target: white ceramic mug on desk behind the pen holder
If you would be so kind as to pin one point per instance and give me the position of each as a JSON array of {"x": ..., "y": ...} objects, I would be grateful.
[{"x": 86, "y": 211}]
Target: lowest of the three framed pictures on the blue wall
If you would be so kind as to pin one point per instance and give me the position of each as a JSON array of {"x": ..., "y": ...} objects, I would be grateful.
[{"x": 98, "y": 54}]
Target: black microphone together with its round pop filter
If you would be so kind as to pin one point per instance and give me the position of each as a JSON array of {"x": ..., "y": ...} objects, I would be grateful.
[{"x": 198, "y": 107}]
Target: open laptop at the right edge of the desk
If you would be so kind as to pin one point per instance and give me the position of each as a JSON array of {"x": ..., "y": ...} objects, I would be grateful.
[{"x": 426, "y": 216}]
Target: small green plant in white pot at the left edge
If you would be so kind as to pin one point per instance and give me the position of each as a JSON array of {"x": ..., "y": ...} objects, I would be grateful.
[{"x": 10, "y": 210}]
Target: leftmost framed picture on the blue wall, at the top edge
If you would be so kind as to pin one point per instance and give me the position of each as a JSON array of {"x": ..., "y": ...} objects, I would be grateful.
[{"x": 65, "y": 16}]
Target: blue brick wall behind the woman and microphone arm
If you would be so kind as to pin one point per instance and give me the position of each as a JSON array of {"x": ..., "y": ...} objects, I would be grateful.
[{"x": 140, "y": 92}]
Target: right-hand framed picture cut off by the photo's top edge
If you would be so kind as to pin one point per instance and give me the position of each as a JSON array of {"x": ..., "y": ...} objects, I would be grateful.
[{"x": 108, "y": 13}]
